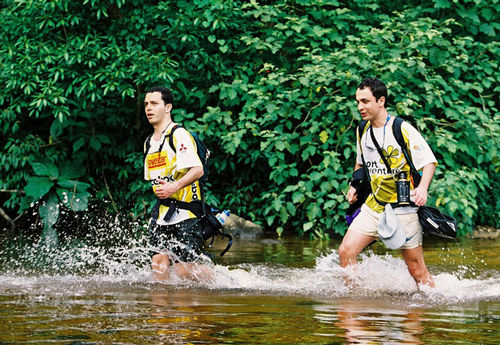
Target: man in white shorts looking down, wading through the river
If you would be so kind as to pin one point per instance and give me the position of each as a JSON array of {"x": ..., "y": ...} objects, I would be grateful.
[{"x": 371, "y": 97}]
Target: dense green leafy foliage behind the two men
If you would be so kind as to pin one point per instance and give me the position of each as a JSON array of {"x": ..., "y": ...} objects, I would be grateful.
[{"x": 268, "y": 85}]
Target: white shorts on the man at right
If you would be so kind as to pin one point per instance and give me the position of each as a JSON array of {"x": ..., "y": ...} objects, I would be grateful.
[{"x": 367, "y": 223}]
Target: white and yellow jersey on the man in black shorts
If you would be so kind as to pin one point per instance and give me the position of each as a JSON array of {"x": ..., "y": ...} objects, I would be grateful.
[{"x": 170, "y": 166}]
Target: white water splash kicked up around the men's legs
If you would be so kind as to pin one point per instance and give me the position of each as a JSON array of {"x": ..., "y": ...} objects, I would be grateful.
[{"x": 78, "y": 267}]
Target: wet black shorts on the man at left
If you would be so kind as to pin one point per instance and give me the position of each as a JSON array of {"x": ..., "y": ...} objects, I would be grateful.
[{"x": 184, "y": 239}]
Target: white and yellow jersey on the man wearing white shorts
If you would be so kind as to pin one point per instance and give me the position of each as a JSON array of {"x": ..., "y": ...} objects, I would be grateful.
[{"x": 384, "y": 184}]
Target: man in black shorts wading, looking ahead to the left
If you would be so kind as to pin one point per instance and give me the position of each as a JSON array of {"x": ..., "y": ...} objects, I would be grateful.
[{"x": 175, "y": 231}]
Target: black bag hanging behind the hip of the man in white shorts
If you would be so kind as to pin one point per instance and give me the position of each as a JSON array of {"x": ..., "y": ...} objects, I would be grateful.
[{"x": 436, "y": 223}]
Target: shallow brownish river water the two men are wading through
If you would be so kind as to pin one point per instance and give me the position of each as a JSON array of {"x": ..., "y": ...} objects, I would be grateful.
[{"x": 266, "y": 291}]
